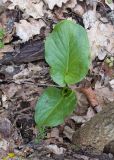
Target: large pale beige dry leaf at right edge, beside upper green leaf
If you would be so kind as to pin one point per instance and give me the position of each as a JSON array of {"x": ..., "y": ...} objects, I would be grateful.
[{"x": 101, "y": 36}]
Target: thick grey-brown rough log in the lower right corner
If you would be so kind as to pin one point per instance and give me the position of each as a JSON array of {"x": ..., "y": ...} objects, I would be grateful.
[{"x": 97, "y": 132}]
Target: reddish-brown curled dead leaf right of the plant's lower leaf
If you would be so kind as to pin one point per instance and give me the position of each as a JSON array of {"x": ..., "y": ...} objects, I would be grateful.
[{"x": 91, "y": 96}]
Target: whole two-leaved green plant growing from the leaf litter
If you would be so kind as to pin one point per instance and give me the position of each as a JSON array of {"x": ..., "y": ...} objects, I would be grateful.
[{"x": 68, "y": 54}]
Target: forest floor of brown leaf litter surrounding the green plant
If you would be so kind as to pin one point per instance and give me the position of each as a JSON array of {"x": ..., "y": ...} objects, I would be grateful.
[{"x": 24, "y": 74}]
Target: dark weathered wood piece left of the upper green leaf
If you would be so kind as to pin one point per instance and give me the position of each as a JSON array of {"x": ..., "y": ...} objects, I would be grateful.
[{"x": 27, "y": 53}]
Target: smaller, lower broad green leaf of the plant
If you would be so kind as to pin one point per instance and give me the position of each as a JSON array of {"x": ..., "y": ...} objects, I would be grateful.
[{"x": 54, "y": 106}]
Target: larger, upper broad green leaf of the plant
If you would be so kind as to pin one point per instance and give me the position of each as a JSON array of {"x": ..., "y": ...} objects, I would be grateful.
[{"x": 67, "y": 52}]
